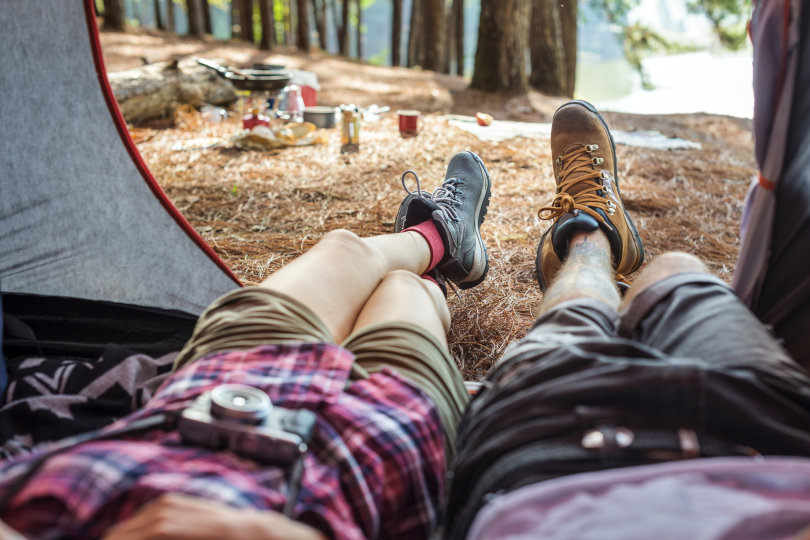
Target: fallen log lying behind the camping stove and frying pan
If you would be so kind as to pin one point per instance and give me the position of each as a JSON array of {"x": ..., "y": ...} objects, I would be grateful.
[{"x": 156, "y": 90}]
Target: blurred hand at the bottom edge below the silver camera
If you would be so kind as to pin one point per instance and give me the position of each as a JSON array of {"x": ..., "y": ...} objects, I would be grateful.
[{"x": 175, "y": 516}]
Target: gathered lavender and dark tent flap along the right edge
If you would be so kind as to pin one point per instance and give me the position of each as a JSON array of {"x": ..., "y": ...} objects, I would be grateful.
[{"x": 772, "y": 273}]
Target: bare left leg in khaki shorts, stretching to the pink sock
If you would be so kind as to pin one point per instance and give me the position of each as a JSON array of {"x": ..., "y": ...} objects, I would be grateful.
[{"x": 337, "y": 276}]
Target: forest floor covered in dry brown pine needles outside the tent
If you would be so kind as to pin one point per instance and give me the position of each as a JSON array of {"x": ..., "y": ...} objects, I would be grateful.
[{"x": 260, "y": 209}]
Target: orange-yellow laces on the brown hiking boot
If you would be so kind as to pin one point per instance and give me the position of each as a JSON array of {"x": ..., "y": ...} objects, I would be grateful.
[{"x": 587, "y": 199}]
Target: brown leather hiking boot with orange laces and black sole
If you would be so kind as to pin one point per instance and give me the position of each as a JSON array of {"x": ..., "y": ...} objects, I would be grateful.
[{"x": 588, "y": 195}]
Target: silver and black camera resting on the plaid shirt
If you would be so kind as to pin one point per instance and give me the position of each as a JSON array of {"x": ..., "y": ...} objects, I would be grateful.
[{"x": 242, "y": 419}]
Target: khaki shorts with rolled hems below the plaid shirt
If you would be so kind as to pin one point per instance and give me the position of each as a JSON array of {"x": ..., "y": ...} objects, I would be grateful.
[{"x": 255, "y": 316}]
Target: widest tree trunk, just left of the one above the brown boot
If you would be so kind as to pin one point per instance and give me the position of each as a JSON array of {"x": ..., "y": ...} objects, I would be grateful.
[{"x": 503, "y": 35}]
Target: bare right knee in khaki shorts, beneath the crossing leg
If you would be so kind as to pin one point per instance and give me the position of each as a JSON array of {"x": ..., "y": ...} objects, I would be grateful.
[{"x": 405, "y": 297}]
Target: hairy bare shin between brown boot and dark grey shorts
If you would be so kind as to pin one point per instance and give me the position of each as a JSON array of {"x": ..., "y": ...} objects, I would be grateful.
[{"x": 586, "y": 273}]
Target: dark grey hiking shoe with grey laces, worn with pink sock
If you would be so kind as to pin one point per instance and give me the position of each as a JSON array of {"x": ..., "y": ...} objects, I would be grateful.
[{"x": 458, "y": 208}]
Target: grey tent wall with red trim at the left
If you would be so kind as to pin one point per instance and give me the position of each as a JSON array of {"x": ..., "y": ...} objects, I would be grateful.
[{"x": 80, "y": 214}]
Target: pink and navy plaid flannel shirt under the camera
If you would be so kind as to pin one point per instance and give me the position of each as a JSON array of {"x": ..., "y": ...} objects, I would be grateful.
[{"x": 375, "y": 468}]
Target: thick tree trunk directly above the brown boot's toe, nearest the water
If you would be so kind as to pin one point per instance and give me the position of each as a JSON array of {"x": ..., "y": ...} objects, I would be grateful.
[{"x": 553, "y": 47}]
